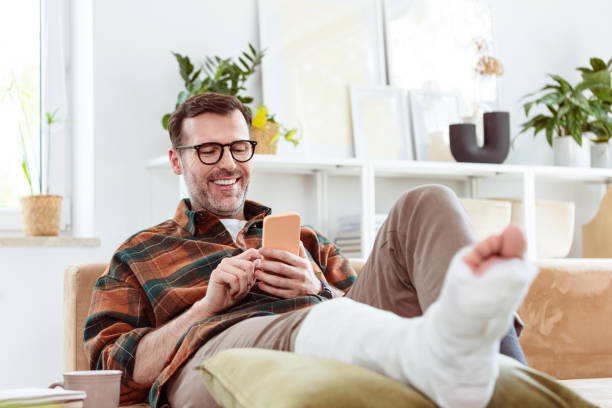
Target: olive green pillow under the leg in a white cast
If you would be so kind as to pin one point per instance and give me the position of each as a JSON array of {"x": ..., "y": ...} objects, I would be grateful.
[{"x": 259, "y": 378}]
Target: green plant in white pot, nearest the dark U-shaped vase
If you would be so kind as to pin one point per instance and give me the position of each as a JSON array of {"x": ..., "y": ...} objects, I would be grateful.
[{"x": 567, "y": 116}]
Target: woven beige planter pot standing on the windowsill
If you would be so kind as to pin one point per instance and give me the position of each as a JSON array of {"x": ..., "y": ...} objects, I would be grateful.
[{"x": 40, "y": 215}]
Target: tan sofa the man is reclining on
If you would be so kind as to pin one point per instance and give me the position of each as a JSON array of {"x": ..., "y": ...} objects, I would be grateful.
[{"x": 566, "y": 314}]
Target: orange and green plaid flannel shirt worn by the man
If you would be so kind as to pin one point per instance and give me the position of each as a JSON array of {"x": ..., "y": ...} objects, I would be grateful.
[{"x": 160, "y": 272}]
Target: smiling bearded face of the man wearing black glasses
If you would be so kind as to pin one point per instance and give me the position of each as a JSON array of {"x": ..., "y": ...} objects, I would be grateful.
[{"x": 203, "y": 180}]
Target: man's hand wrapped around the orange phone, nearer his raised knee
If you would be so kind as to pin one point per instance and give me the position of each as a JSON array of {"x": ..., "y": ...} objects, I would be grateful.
[{"x": 285, "y": 275}]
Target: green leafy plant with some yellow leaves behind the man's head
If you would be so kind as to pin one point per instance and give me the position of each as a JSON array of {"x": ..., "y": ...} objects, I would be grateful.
[{"x": 225, "y": 76}]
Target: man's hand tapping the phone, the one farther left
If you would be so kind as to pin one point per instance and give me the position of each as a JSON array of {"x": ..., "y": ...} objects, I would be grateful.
[{"x": 230, "y": 282}]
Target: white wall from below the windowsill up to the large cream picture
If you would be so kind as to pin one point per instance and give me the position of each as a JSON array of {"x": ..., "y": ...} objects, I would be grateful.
[{"x": 135, "y": 81}]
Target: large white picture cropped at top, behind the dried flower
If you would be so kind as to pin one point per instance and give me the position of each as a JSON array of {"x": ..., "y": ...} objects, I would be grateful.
[{"x": 433, "y": 45}]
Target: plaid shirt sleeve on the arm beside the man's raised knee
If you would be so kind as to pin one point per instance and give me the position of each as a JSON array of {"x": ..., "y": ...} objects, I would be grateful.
[{"x": 330, "y": 265}]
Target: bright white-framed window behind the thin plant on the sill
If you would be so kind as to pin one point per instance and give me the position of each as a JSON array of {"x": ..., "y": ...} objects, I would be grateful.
[{"x": 35, "y": 43}]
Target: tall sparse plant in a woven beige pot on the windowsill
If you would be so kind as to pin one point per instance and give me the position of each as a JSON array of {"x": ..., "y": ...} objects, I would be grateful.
[{"x": 40, "y": 212}]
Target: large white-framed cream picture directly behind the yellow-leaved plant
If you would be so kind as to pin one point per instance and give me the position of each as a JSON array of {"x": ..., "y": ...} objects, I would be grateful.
[{"x": 314, "y": 50}]
